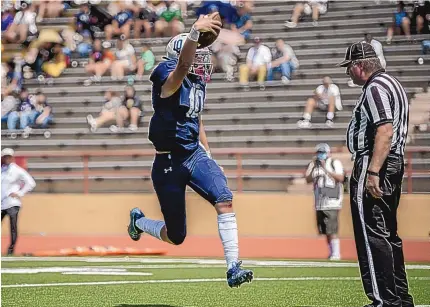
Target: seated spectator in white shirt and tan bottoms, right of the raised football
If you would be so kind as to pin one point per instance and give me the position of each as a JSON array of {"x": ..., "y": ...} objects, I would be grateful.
[{"x": 257, "y": 60}]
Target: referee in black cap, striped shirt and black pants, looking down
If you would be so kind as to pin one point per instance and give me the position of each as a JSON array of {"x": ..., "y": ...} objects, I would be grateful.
[{"x": 376, "y": 137}]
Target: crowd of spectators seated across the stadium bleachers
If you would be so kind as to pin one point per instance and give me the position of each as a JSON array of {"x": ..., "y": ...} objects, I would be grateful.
[{"x": 101, "y": 35}]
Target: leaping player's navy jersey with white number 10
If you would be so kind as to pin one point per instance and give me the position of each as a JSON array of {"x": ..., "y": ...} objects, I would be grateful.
[{"x": 175, "y": 123}]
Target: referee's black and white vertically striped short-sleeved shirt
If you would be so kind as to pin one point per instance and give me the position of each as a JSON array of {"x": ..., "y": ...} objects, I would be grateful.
[{"x": 383, "y": 100}]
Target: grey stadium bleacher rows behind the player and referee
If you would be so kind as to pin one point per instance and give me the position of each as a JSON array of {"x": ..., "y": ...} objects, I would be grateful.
[{"x": 233, "y": 118}]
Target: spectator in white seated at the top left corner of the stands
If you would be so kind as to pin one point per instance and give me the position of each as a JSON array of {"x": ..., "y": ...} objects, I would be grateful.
[{"x": 24, "y": 24}]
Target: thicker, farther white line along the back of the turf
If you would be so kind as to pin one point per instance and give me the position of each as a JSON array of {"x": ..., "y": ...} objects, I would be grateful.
[{"x": 208, "y": 262}]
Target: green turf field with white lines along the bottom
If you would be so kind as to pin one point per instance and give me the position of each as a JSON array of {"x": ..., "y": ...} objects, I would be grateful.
[{"x": 163, "y": 282}]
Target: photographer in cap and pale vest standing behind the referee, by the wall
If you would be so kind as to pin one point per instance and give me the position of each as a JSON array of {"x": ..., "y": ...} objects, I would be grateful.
[{"x": 327, "y": 176}]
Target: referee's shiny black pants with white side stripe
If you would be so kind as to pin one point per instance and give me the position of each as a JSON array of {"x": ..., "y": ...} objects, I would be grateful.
[{"x": 379, "y": 248}]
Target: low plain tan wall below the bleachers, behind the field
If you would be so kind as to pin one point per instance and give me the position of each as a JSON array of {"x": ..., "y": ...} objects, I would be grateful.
[{"x": 259, "y": 215}]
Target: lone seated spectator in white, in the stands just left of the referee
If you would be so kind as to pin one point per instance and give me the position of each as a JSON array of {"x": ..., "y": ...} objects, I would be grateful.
[{"x": 326, "y": 98}]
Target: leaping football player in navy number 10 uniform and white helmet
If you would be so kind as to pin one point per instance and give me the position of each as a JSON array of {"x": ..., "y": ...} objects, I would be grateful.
[{"x": 182, "y": 151}]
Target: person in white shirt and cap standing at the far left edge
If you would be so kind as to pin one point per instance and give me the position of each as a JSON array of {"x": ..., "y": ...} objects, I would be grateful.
[{"x": 15, "y": 183}]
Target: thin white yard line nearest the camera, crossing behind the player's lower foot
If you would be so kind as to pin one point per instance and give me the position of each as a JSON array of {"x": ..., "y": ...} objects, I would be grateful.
[{"x": 200, "y": 280}]
